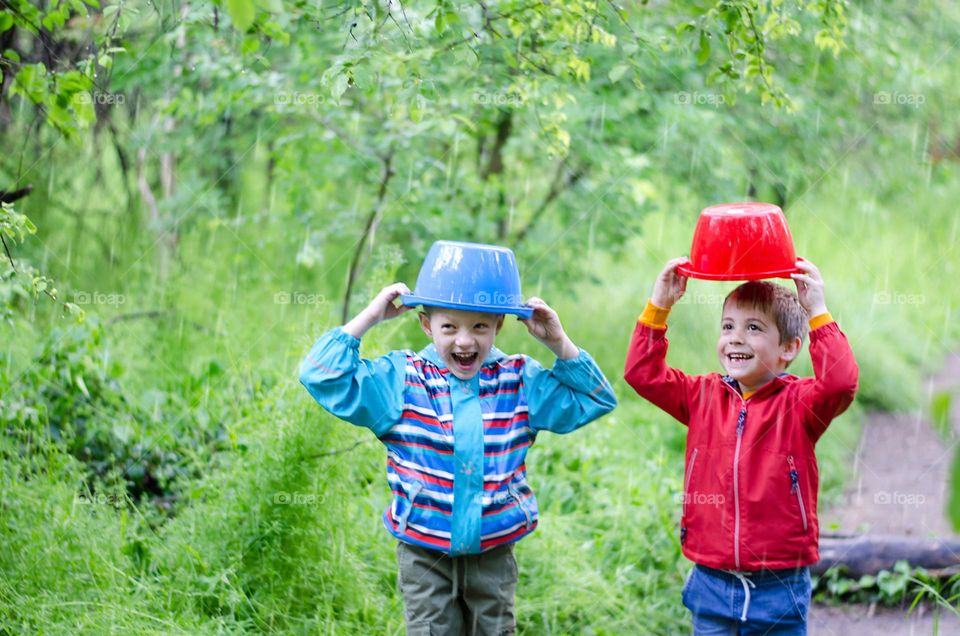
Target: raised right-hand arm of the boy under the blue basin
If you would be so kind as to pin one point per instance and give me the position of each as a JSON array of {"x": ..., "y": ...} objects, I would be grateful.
[{"x": 571, "y": 394}]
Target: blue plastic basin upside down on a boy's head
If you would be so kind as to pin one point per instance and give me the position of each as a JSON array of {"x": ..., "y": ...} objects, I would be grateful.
[{"x": 469, "y": 277}]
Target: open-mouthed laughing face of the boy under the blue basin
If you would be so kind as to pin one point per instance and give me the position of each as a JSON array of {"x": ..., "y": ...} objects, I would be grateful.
[{"x": 462, "y": 338}]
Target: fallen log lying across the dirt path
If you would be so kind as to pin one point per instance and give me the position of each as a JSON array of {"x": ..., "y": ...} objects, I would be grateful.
[{"x": 868, "y": 554}]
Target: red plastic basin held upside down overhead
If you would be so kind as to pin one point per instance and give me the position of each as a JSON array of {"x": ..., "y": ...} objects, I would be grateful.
[{"x": 741, "y": 241}]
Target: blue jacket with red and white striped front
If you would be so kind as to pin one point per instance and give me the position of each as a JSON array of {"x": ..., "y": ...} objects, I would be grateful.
[{"x": 455, "y": 448}]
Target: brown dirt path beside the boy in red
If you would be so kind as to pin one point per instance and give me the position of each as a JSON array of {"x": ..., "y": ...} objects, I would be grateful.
[{"x": 901, "y": 477}]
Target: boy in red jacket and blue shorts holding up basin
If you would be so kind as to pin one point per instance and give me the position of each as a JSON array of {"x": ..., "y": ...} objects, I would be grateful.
[{"x": 749, "y": 516}]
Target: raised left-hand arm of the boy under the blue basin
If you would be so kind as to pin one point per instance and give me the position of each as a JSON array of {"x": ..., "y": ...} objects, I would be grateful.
[{"x": 364, "y": 392}]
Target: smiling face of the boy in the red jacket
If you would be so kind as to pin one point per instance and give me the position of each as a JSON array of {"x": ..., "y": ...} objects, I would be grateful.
[{"x": 749, "y": 346}]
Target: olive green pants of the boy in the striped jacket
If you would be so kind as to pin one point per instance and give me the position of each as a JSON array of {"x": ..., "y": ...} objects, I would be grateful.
[{"x": 468, "y": 595}]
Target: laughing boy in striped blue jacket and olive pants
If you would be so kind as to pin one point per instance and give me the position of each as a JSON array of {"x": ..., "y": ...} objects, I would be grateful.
[{"x": 457, "y": 419}]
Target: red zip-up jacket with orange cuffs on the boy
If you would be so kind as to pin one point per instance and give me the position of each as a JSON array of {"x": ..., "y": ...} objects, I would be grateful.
[{"x": 750, "y": 479}]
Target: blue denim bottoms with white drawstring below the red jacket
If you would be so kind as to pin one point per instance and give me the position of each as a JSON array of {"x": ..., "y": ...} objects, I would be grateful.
[{"x": 764, "y": 602}]
